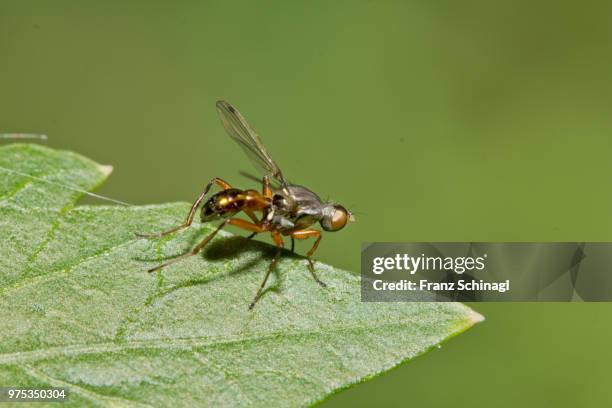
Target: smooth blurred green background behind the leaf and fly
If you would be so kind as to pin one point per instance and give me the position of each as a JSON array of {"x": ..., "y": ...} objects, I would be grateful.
[{"x": 433, "y": 121}]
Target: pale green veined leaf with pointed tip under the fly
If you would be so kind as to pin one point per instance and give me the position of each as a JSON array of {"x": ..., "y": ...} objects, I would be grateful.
[{"x": 80, "y": 311}]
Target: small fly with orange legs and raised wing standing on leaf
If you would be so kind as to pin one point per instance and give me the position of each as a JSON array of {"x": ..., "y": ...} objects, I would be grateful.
[{"x": 284, "y": 209}]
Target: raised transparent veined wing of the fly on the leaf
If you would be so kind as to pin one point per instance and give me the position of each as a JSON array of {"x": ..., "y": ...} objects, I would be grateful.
[{"x": 243, "y": 134}]
